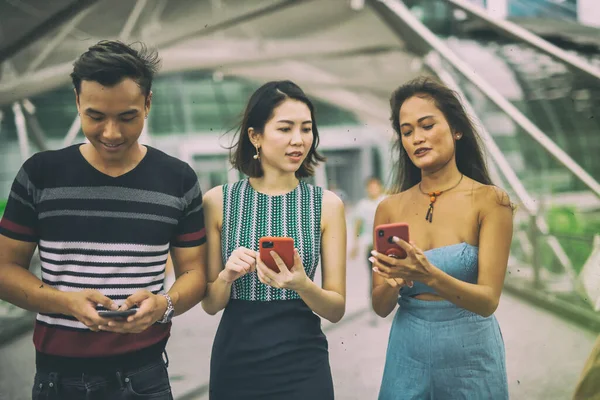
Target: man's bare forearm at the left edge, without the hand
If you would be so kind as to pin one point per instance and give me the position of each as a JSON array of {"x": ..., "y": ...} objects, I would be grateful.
[{"x": 23, "y": 289}]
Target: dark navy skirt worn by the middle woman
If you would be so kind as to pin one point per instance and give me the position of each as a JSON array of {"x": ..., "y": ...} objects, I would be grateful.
[{"x": 270, "y": 350}]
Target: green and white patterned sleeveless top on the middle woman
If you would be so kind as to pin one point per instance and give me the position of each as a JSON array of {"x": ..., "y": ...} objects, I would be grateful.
[{"x": 249, "y": 215}]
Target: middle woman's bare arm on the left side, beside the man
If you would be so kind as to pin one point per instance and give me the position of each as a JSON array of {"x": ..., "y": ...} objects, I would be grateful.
[{"x": 218, "y": 290}]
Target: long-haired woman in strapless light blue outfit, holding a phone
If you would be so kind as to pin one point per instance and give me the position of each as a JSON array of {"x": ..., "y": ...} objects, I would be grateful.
[{"x": 445, "y": 342}]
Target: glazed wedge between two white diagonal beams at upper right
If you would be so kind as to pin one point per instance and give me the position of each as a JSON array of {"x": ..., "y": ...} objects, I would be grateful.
[{"x": 559, "y": 100}]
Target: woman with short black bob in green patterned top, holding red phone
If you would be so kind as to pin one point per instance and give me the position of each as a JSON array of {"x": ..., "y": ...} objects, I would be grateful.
[{"x": 269, "y": 344}]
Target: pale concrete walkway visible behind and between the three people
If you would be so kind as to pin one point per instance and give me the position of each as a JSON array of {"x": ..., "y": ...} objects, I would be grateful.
[{"x": 545, "y": 354}]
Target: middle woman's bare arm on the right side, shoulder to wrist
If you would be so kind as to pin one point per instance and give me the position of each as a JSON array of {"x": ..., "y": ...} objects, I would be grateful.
[{"x": 330, "y": 301}]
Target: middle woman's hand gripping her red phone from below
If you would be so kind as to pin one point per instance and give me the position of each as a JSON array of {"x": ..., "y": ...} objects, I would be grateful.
[{"x": 293, "y": 278}]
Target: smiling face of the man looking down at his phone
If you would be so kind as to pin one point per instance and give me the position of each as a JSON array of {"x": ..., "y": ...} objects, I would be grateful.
[{"x": 112, "y": 118}]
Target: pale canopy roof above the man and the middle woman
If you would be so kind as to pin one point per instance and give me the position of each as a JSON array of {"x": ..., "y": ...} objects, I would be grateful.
[{"x": 339, "y": 50}]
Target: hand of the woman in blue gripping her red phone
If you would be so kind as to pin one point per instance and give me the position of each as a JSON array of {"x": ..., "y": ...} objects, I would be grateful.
[{"x": 415, "y": 267}]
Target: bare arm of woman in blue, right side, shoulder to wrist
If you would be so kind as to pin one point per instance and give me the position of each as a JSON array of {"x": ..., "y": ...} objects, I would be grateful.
[{"x": 495, "y": 236}]
